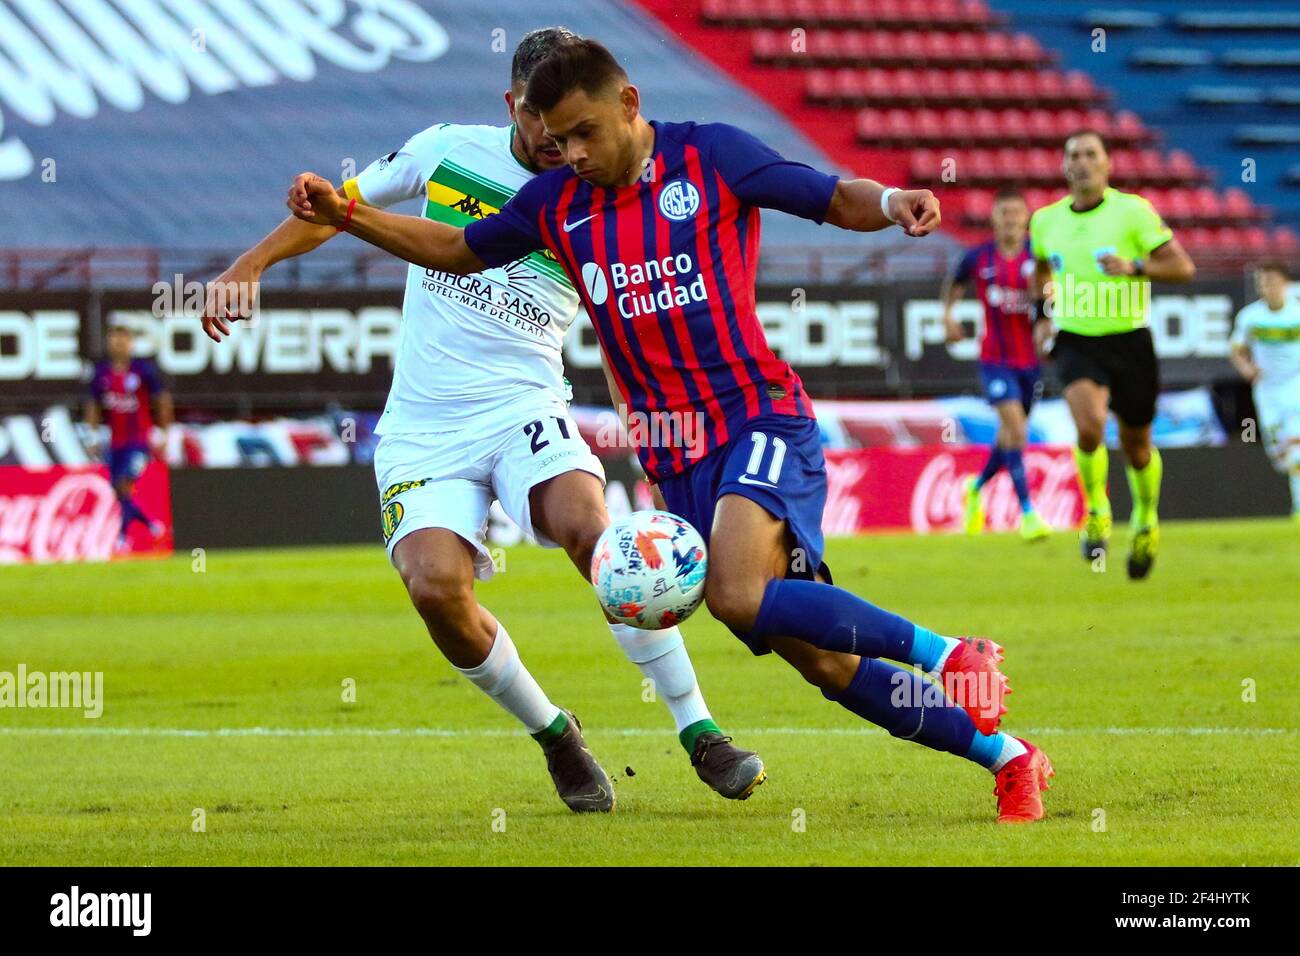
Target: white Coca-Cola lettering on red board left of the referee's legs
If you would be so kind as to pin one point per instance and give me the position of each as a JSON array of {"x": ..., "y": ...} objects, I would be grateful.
[{"x": 939, "y": 494}]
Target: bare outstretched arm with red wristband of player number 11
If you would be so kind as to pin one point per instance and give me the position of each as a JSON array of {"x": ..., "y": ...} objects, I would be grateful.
[{"x": 419, "y": 241}]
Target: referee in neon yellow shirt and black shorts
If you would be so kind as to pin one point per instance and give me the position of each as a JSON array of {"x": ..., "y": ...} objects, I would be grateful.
[{"x": 1097, "y": 252}]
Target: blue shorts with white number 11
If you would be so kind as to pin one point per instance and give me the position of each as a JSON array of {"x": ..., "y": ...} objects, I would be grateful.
[{"x": 777, "y": 462}]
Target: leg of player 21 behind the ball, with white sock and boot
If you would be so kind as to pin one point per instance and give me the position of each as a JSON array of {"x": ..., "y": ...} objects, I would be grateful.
[{"x": 570, "y": 511}]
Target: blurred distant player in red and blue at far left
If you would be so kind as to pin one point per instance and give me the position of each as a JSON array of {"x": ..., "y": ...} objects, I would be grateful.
[{"x": 127, "y": 392}]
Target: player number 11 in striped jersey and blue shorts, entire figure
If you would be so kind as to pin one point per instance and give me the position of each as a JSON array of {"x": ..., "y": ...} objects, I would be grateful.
[{"x": 658, "y": 227}]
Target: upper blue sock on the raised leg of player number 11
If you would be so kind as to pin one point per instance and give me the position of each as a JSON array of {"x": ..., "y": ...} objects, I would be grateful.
[{"x": 835, "y": 620}]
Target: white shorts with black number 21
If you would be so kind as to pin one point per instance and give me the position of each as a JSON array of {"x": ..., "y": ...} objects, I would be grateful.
[{"x": 450, "y": 479}]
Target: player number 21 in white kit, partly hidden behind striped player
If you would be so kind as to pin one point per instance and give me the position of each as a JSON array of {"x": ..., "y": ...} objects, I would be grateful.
[{"x": 478, "y": 412}]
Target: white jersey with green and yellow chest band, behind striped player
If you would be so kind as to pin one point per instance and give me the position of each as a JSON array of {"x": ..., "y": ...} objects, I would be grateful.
[{"x": 467, "y": 343}]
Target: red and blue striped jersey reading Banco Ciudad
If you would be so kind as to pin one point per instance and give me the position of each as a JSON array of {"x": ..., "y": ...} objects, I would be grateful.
[{"x": 666, "y": 270}]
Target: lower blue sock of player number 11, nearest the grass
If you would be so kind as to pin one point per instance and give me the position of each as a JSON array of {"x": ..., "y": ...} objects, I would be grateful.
[{"x": 908, "y": 707}]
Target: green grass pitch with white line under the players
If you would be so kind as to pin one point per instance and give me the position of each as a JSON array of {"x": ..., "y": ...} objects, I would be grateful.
[{"x": 1139, "y": 693}]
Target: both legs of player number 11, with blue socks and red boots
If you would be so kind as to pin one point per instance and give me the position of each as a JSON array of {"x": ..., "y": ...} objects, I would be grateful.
[{"x": 843, "y": 641}]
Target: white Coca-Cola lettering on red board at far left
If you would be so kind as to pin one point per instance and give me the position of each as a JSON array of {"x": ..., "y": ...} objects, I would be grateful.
[{"x": 75, "y": 520}]
